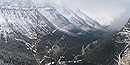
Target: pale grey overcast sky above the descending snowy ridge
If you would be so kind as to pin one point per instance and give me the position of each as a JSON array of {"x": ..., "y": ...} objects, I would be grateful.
[{"x": 106, "y": 12}]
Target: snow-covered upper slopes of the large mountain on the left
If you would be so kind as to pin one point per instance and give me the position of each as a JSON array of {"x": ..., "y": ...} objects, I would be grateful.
[{"x": 20, "y": 16}]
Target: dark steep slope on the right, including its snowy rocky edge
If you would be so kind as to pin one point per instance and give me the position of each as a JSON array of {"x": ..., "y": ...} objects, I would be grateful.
[{"x": 113, "y": 51}]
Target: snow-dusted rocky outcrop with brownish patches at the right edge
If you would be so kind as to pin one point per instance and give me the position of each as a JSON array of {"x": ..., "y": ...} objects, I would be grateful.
[{"x": 123, "y": 37}]
